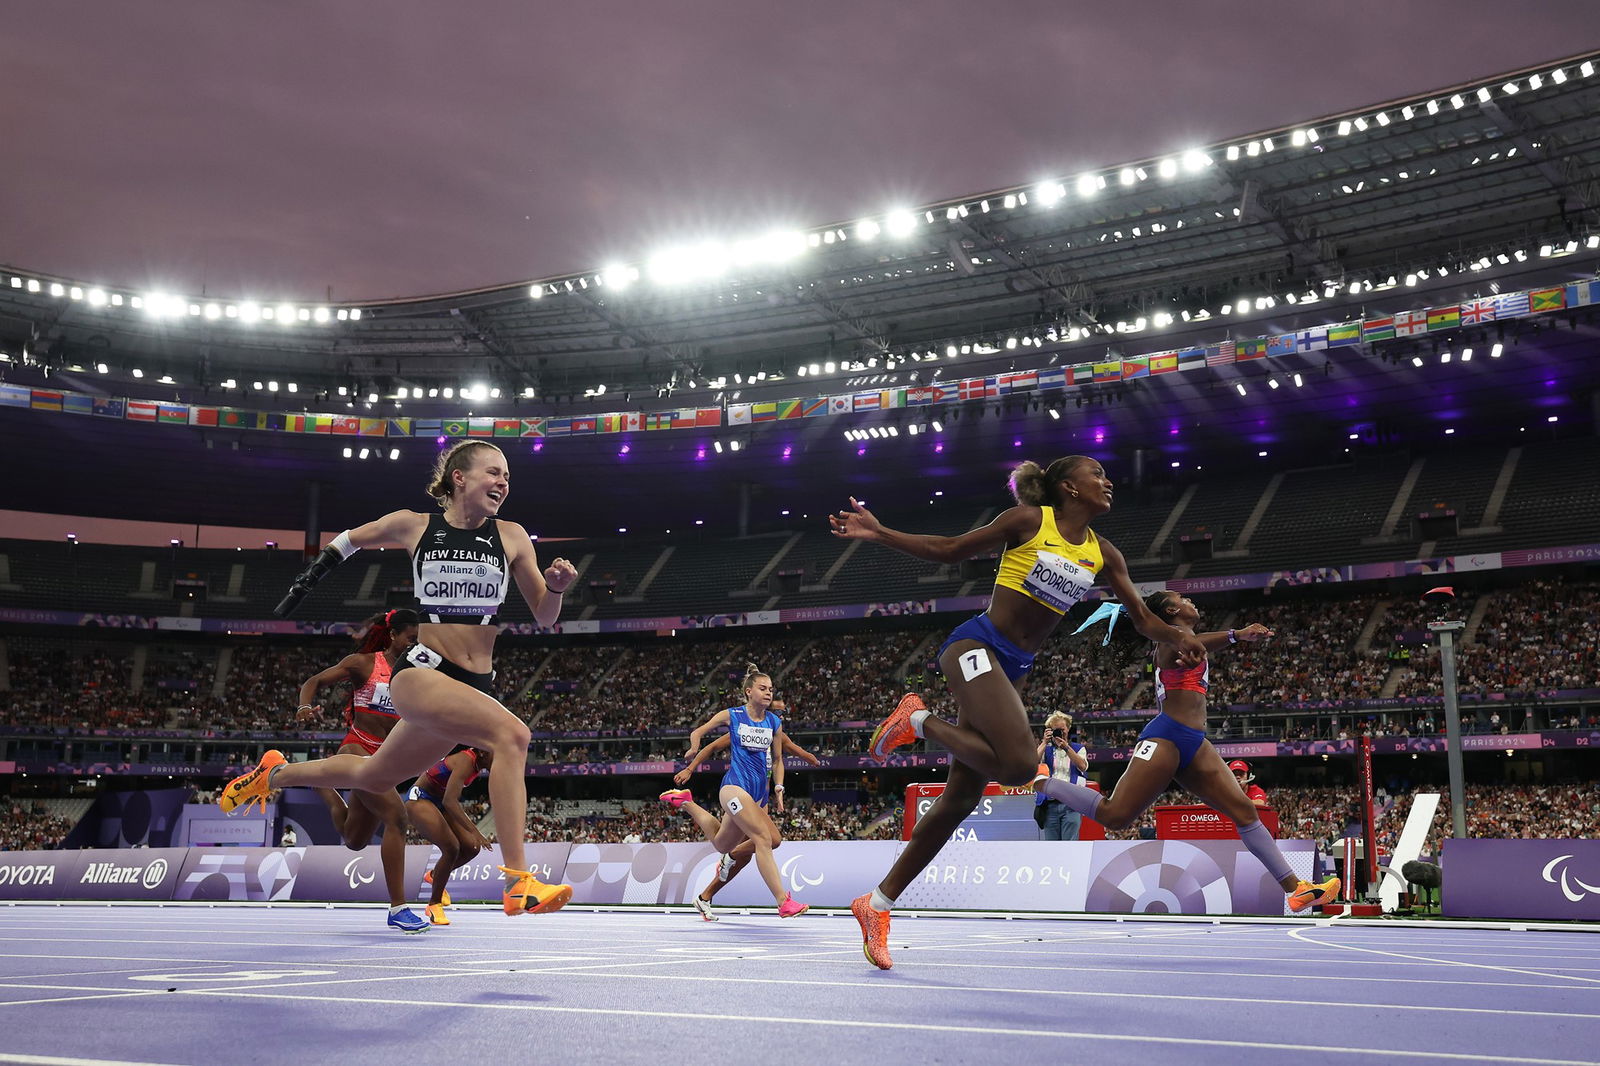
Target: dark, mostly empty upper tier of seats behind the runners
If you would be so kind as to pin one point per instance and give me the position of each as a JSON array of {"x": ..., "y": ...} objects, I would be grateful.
[{"x": 1540, "y": 495}]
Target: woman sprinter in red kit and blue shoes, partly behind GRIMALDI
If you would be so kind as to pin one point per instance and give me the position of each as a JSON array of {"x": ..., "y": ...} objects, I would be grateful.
[{"x": 369, "y": 718}]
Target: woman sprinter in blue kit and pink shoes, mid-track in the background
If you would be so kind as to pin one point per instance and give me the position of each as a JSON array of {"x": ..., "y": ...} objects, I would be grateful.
[{"x": 758, "y": 737}]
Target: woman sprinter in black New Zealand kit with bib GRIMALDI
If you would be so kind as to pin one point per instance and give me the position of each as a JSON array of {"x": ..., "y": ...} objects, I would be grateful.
[{"x": 462, "y": 564}]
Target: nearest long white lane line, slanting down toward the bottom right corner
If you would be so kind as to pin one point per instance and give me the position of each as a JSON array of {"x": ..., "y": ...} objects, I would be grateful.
[{"x": 1047, "y": 1035}]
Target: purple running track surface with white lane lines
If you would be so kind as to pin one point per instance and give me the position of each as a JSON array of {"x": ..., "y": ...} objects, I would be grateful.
[{"x": 249, "y": 985}]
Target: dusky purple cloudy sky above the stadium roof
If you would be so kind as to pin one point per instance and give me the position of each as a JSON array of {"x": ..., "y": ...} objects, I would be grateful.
[{"x": 412, "y": 146}]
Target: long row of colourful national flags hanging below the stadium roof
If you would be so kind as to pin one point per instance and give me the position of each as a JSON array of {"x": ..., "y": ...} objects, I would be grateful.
[{"x": 1406, "y": 324}]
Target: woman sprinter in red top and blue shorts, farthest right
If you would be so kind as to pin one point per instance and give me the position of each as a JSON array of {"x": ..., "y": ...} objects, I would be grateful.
[{"x": 1174, "y": 748}]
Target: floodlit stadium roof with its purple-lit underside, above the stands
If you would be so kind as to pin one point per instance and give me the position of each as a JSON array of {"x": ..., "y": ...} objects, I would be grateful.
[{"x": 1458, "y": 194}]
